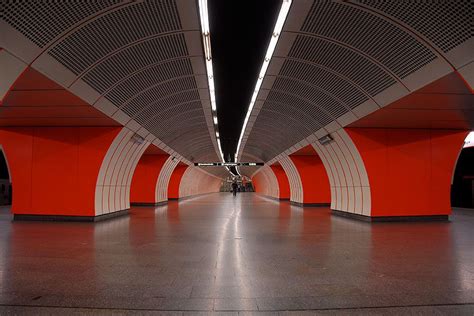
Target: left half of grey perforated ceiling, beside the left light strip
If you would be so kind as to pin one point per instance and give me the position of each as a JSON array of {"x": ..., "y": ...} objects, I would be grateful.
[{"x": 145, "y": 58}]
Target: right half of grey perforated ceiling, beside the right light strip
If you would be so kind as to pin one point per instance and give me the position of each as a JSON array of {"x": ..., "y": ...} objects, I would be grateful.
[{"x": 335, "y": 59}]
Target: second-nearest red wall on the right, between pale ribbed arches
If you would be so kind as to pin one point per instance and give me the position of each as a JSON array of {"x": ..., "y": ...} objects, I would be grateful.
[{"x": 315, "y": 181}]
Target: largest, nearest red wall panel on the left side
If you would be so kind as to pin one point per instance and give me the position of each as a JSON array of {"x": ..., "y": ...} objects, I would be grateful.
[{"x": 54, "y": 169}]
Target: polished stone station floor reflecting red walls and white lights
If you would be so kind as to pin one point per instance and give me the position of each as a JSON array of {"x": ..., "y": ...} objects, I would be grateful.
[{"x": 243, "y": 255}]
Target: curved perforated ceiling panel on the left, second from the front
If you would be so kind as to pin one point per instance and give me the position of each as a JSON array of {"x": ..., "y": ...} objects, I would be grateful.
[{"x": 116, "y": 30}]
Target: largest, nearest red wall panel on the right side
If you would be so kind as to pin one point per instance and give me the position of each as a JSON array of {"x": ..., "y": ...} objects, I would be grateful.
[{"x": 409, "y": 170}]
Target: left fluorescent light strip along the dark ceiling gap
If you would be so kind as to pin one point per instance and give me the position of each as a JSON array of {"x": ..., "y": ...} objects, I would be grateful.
[{"x": 206, "y": 39}]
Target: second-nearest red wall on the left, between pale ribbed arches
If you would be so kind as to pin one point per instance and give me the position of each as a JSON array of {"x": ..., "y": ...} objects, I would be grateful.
[{"x": 145, "y": 177}]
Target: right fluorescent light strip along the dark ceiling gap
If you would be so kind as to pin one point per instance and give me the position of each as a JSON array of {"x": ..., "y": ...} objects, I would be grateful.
[{"x": 285, "y": 8}]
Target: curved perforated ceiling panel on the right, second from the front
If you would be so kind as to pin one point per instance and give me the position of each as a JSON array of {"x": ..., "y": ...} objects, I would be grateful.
[{"x": 374, "y": 36}]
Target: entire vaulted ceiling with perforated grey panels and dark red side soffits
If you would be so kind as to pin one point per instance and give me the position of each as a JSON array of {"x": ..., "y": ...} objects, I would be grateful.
[{"x": 142, "y": 64}]
